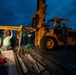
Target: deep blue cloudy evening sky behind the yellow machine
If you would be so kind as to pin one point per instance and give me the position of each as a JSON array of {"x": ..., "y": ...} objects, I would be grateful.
[{"x": 16, "y": 12}]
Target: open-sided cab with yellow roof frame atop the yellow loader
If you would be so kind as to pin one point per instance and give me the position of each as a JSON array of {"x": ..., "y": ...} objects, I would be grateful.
[{"x": 56, "y": 23}]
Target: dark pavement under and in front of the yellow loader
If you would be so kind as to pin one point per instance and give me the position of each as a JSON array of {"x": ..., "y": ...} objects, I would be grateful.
[{"x": 64, "y": 58}]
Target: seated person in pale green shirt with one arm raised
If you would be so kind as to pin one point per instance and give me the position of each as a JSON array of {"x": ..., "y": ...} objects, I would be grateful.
[{"x": 7, "y": 40}]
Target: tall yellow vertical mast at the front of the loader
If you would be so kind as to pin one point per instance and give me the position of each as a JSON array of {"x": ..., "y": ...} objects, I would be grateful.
[{"x": 39, "y": 21}]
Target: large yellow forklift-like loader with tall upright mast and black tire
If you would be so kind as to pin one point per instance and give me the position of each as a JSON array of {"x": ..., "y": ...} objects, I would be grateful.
[{"x": 46, "y": 38}]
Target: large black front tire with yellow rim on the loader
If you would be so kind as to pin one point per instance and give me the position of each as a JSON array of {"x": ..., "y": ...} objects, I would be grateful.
[{"x": 48, "y": 43}]
